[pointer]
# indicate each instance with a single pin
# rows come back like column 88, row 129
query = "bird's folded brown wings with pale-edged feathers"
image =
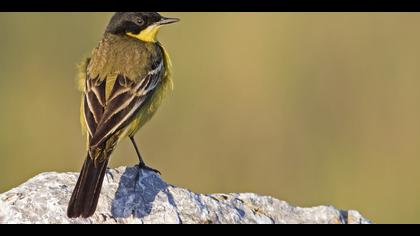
column 107, row 115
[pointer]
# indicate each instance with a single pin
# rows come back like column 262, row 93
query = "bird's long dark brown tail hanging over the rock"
column 84, row 199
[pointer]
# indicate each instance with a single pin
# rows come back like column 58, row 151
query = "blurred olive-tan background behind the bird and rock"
column 307, row 107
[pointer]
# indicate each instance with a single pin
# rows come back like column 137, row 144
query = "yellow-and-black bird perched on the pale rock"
column 123, row 84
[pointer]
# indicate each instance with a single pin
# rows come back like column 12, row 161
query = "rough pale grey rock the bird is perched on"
column 133, row 196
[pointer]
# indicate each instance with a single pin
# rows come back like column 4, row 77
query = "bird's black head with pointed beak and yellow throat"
column 134, row 23
